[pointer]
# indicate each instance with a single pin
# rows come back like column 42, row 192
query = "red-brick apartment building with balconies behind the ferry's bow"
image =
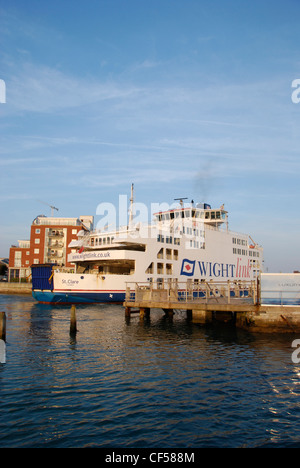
column 49, row 243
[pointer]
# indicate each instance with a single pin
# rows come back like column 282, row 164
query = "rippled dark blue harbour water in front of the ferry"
column 151, row 383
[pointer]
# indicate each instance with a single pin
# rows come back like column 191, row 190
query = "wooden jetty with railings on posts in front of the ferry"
column 208, row 301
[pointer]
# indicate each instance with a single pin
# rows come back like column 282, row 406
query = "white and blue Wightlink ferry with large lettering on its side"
column 188, row 242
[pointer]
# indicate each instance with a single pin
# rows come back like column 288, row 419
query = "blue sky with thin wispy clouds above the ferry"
column 188, row 98
